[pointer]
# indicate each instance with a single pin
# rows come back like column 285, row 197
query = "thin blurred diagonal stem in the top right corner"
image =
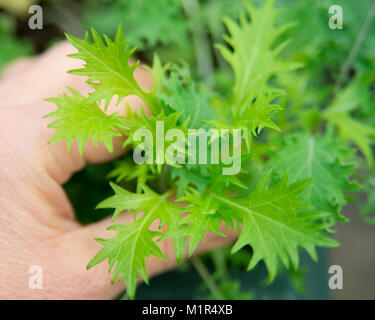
column 355, row 49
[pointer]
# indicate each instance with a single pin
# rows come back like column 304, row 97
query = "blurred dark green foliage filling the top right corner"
column 334, row 46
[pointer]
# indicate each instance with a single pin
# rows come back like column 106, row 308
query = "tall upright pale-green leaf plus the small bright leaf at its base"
column 254, row 62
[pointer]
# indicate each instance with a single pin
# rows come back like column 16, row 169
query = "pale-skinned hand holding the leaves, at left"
column 37, row 221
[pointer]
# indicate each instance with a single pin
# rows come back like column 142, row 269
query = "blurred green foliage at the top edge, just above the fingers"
column 162, row 21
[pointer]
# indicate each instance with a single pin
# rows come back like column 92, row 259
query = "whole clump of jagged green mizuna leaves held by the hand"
column 294, row 179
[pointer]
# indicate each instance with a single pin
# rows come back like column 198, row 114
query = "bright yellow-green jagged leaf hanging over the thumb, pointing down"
column 128, row 250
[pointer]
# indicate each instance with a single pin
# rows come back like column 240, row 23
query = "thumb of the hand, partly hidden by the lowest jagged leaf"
column 79, row 248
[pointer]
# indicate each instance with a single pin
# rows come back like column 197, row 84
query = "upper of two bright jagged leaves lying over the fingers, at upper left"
column 107, row 68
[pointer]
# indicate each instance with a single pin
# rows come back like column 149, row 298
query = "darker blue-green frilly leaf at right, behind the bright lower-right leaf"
column 320, row 158
